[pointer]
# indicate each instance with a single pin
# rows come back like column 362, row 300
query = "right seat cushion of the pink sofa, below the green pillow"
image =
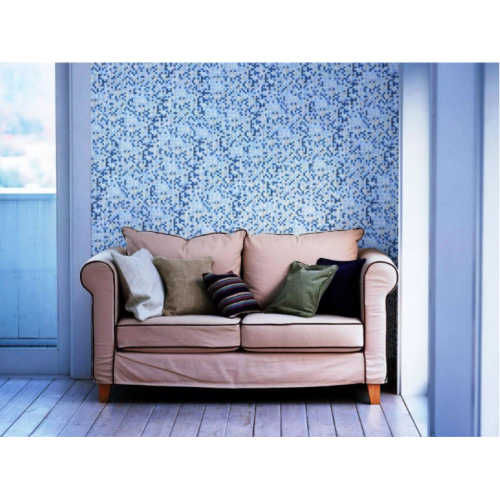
column 286, row 333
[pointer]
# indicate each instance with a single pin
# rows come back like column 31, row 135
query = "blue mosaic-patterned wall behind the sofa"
column 287, row 148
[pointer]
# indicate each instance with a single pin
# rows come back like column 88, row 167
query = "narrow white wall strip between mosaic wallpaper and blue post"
column 414, row 230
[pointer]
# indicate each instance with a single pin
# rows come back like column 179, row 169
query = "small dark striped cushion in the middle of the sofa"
column 230, row 294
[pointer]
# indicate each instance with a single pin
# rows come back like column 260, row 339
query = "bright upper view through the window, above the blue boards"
column 27, row 126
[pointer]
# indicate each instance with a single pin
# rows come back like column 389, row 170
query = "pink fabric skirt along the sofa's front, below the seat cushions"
column 239, row 369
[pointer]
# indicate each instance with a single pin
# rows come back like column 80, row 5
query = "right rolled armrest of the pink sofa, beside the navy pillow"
column 379, row 278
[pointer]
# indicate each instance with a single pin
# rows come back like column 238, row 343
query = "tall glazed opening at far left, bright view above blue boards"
column 28, row 270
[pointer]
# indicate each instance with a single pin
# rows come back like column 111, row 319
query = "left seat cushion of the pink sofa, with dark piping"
column 179, row 334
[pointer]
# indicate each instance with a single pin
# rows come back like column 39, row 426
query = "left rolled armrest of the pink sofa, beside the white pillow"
column 100, row 279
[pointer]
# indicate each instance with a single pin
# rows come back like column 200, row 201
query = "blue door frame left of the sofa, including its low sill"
column 73, row 156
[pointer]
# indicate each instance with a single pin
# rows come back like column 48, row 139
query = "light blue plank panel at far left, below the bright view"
column 28, row 269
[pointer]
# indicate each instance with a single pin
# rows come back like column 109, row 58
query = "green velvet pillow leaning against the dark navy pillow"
column 303, row 290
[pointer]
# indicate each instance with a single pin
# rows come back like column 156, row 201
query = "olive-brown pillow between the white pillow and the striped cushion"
column 185, row 290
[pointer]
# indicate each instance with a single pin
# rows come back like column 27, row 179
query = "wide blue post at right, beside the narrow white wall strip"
column 457, row 189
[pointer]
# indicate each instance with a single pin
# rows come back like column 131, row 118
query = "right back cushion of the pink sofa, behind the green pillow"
column 267, row 257
